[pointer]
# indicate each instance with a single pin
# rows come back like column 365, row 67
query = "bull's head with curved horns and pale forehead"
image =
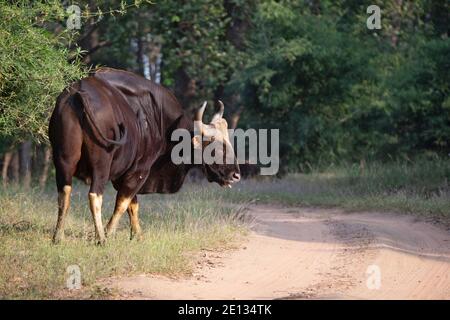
column 213, row 138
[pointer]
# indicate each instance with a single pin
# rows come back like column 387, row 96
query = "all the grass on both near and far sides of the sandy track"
column 178, row 226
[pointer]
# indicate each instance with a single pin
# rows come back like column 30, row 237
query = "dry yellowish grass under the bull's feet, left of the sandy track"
column 175, row 227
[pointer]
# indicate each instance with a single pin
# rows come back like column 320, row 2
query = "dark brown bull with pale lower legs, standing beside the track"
column 116, row 126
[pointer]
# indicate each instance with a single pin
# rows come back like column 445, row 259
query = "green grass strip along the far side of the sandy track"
column 420, row 188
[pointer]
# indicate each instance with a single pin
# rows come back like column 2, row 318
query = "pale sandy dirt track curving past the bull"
column 317, row 254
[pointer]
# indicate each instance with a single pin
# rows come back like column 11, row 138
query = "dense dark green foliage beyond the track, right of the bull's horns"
column 340, row 92
